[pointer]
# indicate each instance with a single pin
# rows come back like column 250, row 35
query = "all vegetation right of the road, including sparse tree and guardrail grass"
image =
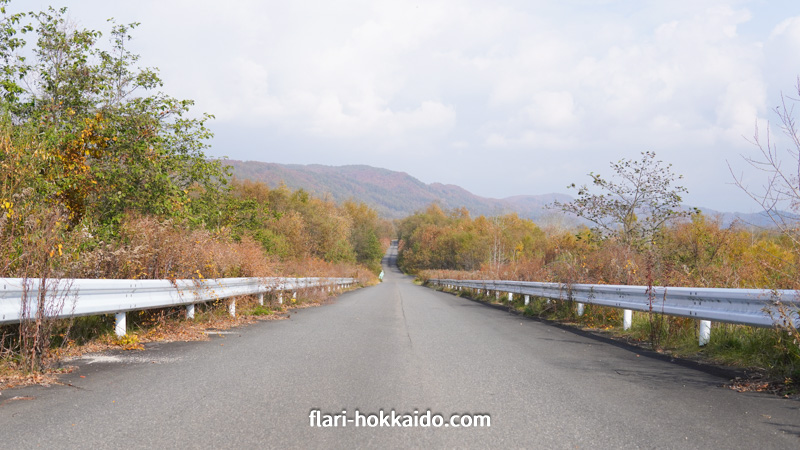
column 638, row 234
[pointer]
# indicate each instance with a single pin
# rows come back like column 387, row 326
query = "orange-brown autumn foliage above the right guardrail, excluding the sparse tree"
column 696, row 250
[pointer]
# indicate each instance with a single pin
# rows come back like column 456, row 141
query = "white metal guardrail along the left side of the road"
column 67, row 298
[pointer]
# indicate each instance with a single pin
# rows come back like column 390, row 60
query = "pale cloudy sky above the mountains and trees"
column 502, row 97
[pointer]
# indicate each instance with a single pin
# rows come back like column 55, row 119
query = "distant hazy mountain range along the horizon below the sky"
column 397, row 194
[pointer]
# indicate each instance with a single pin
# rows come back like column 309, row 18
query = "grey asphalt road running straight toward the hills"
column 395, row 346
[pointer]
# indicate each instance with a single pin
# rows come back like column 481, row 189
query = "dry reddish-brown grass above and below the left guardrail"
column 149, row 248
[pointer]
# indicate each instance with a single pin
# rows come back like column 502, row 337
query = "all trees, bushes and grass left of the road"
column 104, row 175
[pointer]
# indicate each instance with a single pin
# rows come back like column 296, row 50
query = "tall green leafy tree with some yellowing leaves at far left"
column 113, row 142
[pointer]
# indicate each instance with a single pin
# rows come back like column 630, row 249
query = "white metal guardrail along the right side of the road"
column 756, row 307
